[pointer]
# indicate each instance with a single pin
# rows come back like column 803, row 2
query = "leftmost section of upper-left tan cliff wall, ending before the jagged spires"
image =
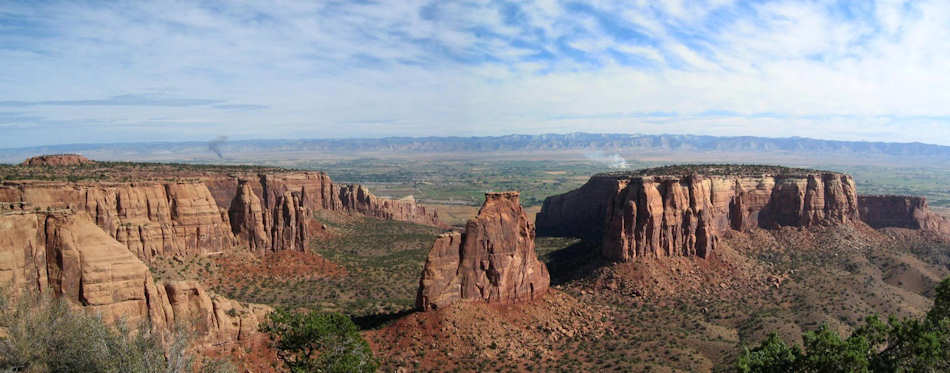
column 150, row 219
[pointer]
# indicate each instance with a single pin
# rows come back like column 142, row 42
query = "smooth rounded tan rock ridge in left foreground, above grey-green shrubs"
column 71, row 257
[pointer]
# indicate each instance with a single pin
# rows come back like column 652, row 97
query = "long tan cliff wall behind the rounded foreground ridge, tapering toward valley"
column 264, row 212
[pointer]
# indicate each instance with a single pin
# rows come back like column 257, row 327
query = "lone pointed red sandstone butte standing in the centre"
column 492, row 261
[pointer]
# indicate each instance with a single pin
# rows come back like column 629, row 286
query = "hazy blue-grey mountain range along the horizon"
column 510, row 143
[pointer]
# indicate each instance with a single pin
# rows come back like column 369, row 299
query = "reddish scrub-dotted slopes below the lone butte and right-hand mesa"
column 677, row 314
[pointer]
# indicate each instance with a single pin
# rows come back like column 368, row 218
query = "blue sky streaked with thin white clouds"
column 98, row 71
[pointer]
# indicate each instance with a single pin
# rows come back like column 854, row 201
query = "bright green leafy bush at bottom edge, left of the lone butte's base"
column 318, row 342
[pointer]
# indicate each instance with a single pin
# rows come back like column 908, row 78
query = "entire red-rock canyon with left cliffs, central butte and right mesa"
column 716, row 239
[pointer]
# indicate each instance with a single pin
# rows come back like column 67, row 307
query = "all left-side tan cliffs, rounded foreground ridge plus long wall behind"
column 90, row 242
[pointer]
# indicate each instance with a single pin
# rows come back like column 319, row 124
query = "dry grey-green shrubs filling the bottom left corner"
column 46, row 334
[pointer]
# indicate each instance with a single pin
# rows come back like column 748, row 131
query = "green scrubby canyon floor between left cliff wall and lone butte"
column 372, row 268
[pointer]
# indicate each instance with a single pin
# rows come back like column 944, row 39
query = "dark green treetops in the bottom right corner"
column 908, row 345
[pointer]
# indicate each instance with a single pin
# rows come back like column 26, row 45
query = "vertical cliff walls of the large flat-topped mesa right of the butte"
column 684, row 215
